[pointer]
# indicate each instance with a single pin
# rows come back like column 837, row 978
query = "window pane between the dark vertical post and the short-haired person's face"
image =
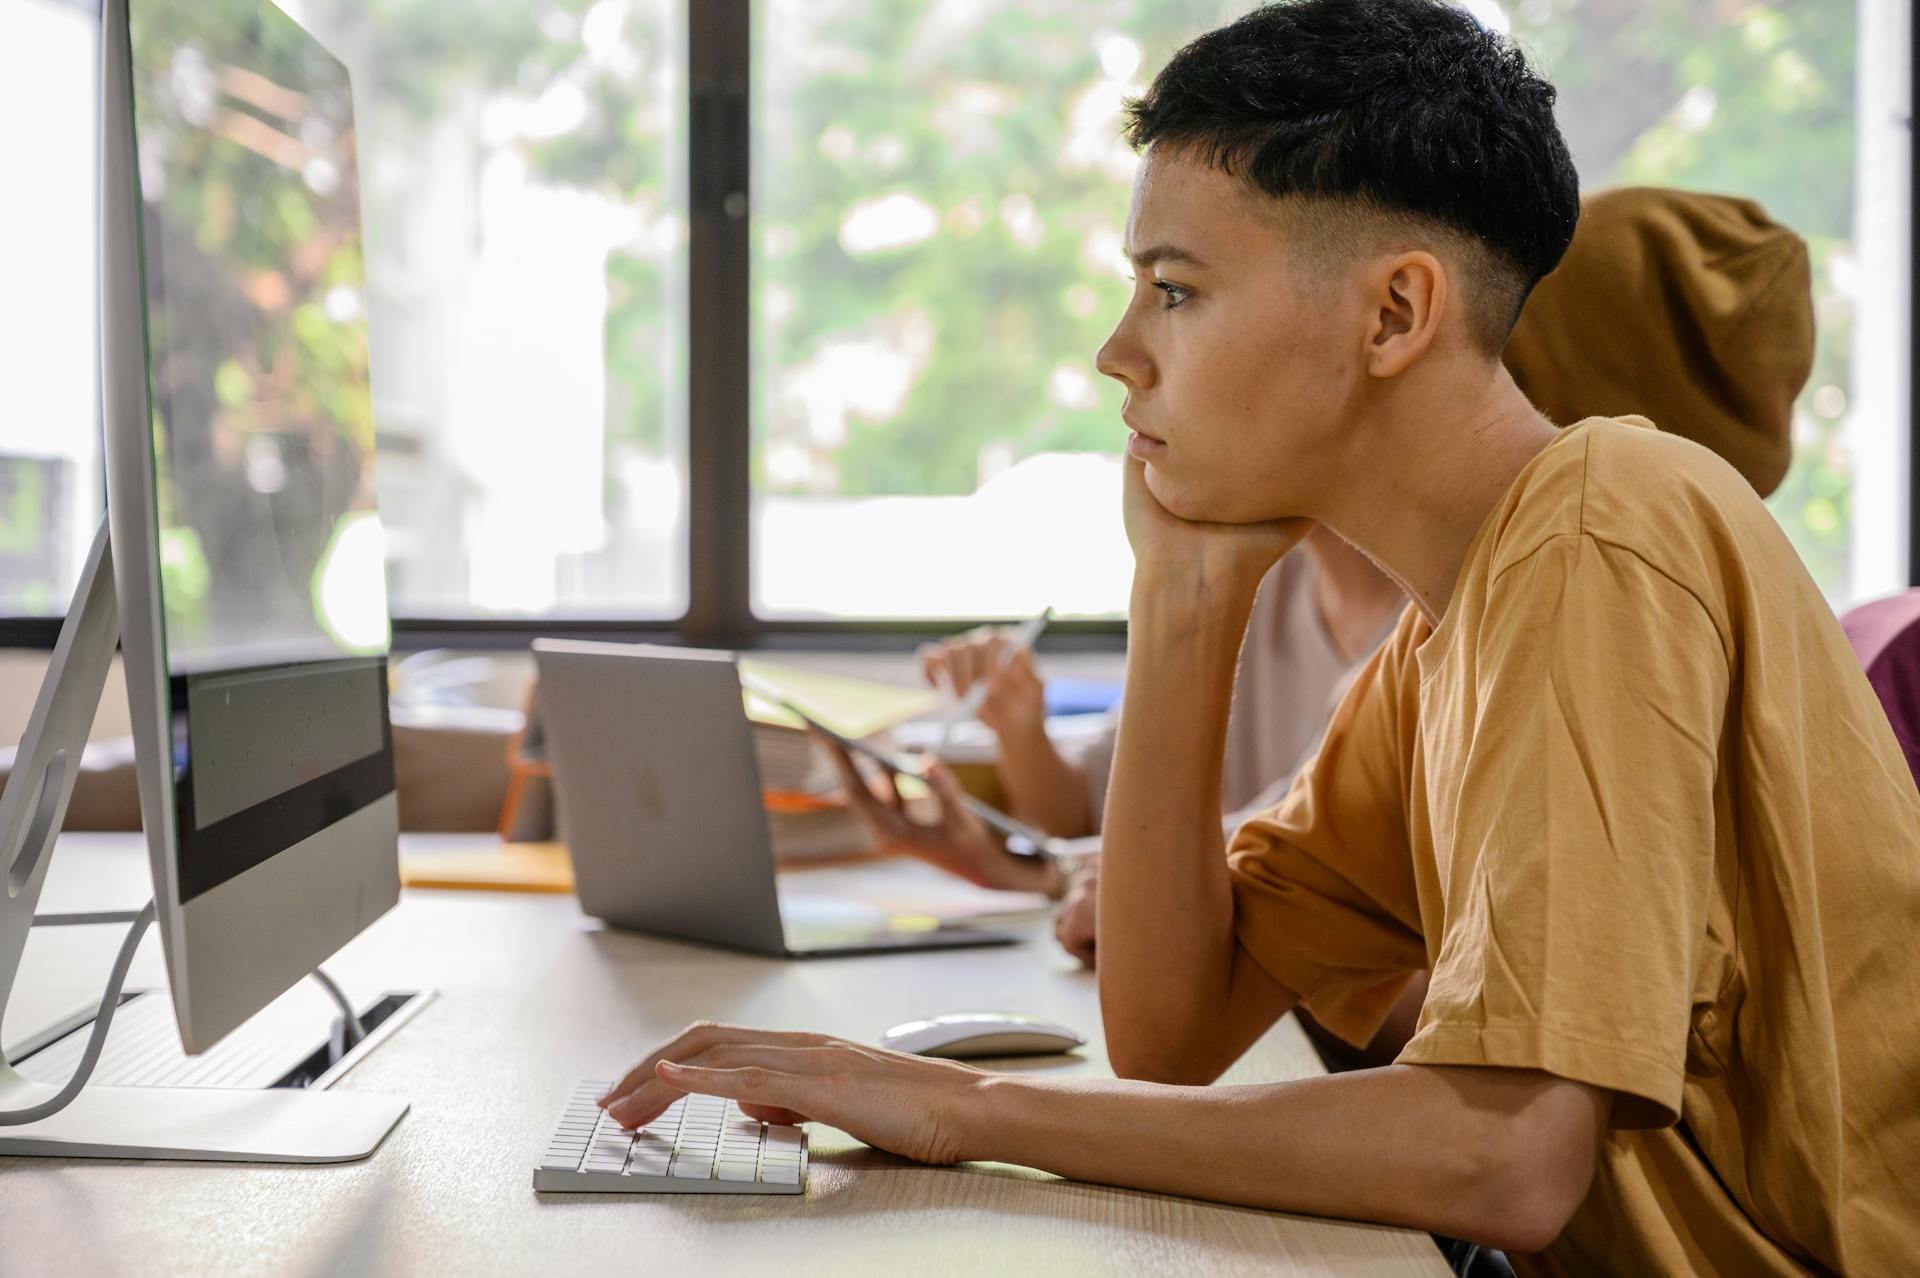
column 938, row 224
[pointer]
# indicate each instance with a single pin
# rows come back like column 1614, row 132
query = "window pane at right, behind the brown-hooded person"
column 1806, row 108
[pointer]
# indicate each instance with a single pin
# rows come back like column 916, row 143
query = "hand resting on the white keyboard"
column 905, row 1104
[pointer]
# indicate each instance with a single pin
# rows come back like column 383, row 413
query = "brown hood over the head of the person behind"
column 1694, row 312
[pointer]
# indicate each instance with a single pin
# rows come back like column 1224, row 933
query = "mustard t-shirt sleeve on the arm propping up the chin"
column 1324, row 884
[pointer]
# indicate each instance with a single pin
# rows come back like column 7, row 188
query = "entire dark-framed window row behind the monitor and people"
column 621, row 385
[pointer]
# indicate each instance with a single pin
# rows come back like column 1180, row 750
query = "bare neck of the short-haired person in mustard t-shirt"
column 1429, row 469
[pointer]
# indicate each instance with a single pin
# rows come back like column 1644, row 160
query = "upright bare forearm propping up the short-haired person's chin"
column 1168, row 955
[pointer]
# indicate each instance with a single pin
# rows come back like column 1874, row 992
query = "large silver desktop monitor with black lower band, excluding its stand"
column 241, row 496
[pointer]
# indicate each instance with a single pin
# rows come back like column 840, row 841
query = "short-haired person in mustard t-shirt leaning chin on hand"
column 1616, row 778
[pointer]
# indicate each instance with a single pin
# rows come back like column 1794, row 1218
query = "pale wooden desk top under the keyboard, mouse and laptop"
column 533, row 997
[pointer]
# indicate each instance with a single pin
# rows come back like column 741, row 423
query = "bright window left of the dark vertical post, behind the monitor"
column 523, row 185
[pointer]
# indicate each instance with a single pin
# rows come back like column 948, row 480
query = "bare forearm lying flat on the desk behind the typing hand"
column 1493, row 1156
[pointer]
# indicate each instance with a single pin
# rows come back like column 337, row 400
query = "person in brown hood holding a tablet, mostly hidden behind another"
column 1689, row 308
